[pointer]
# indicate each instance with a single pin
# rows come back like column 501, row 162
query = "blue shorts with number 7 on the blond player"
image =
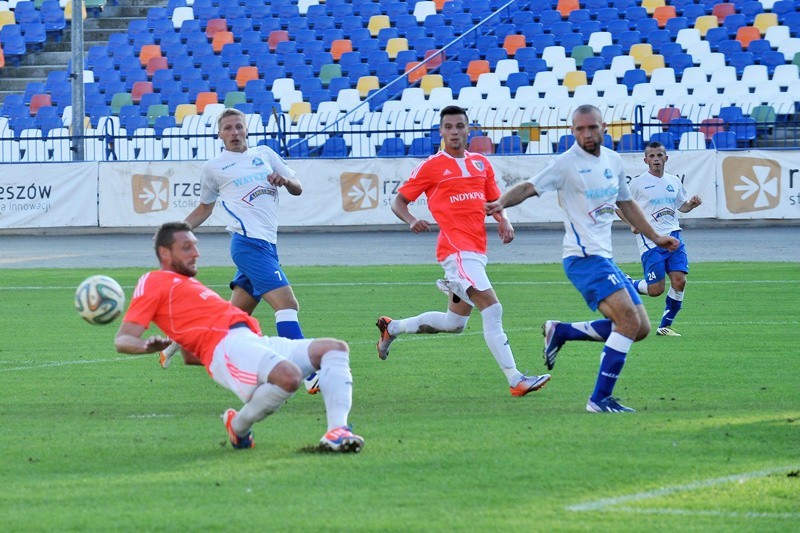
column 258, row 270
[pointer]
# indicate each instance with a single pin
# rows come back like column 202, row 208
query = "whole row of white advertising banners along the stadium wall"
column 743, row 185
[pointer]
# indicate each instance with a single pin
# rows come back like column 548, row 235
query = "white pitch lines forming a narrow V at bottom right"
column 614, row 504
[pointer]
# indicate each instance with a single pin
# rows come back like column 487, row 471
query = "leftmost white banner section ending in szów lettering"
column 48, row 195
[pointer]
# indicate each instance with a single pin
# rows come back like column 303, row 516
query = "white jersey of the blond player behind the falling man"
column 239, row 181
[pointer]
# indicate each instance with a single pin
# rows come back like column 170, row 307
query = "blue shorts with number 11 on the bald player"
column 597, row 278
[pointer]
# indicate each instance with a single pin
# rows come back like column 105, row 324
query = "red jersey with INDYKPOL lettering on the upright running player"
column 457, row 189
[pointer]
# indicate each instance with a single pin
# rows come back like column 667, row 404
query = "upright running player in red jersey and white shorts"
column 457, row 184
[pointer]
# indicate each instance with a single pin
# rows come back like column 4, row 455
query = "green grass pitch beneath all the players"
column 94, row 440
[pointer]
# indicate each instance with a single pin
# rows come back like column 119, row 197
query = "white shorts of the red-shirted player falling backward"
column 243, row 360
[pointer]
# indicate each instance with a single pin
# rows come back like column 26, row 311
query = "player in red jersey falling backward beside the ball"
column 263, row 372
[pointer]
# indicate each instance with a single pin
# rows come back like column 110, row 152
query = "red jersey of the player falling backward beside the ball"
column 186, row 311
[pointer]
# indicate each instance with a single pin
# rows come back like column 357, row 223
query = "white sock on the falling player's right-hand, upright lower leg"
column 336, row 385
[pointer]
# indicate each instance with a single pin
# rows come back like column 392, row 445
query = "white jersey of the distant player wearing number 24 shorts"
column 659, row 199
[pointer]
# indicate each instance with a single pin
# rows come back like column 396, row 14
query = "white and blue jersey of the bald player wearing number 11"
column 588, row 188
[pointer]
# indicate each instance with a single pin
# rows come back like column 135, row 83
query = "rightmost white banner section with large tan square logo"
column 758, row 185
